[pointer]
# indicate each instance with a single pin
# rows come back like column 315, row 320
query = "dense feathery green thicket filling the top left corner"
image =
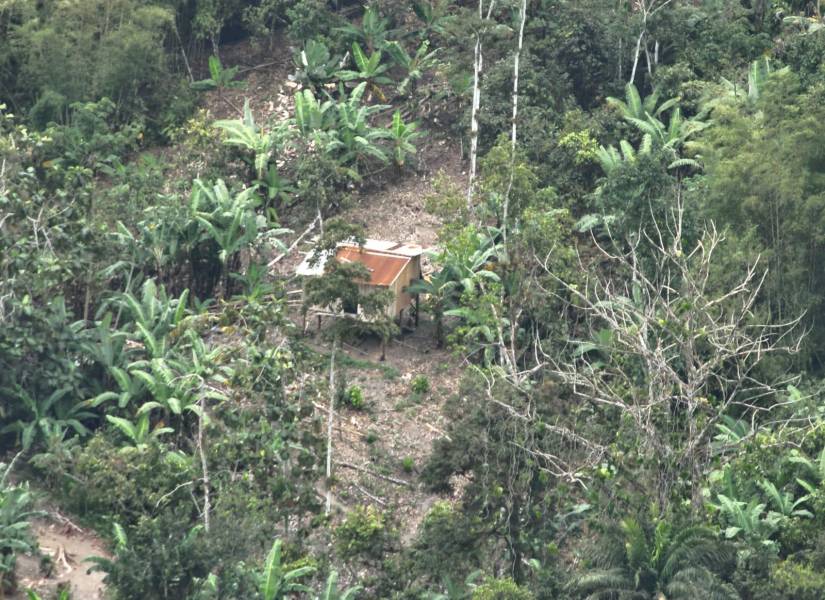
column 89, row 51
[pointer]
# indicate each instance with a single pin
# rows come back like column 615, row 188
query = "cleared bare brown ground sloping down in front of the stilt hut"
column 379, row 450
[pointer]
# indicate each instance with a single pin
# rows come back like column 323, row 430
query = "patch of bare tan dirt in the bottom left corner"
column 67, row 546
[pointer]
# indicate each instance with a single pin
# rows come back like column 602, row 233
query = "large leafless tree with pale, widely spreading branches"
column 672, row 353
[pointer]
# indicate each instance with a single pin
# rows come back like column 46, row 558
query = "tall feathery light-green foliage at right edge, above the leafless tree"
column 744, row 194
